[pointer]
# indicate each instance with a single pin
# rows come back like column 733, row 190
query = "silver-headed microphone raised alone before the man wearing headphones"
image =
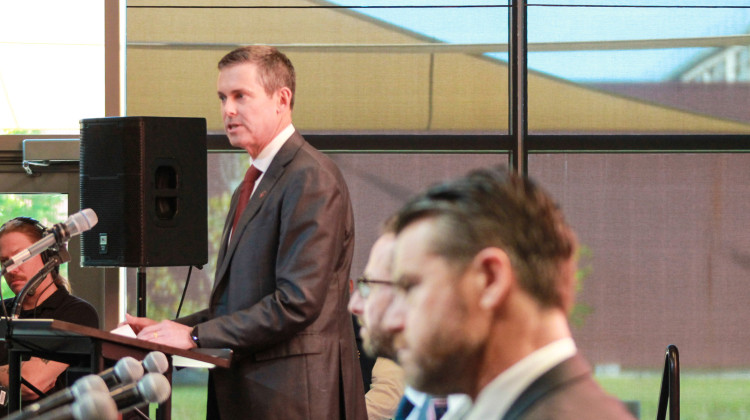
column 61, row 232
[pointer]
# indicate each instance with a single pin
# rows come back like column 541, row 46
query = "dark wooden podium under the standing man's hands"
column 86, row 349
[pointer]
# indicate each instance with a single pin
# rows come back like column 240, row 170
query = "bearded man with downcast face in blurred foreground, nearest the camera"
column 486, row 268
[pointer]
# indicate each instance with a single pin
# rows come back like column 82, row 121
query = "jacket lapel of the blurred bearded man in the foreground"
column 569, row 370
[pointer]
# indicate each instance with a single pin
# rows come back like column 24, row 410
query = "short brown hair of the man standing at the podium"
column 275, row 70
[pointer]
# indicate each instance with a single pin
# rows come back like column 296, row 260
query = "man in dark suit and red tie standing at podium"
column 281, row 287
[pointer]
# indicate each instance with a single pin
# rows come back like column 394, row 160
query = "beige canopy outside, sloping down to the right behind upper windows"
column 358, row 74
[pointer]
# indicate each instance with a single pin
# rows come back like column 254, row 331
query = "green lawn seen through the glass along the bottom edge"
column 703, row 396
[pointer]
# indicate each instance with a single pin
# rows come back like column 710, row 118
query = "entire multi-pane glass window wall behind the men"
column 664, row 233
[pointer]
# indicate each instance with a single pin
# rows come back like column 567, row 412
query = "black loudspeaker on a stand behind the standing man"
column 145, row 177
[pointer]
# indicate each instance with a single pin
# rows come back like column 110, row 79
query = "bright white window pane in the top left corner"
column 52, row 65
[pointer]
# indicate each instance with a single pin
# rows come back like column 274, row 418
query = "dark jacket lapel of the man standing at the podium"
column 267, row 183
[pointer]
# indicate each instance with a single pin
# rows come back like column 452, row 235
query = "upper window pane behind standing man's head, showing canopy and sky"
column 402, row 69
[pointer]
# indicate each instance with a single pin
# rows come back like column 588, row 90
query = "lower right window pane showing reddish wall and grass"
column 666, row 262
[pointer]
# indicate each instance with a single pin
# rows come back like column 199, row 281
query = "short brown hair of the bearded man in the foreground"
column 495, row 208
